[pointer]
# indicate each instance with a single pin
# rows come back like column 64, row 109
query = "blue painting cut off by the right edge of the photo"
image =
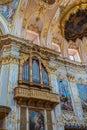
column 82, row 90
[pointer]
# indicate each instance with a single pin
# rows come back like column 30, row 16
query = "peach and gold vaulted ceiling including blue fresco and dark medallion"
column 53, row 20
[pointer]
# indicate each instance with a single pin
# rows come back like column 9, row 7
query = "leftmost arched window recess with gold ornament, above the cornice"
column 34, row 27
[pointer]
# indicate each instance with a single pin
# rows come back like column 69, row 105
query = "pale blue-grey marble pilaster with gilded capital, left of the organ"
column 9, row 80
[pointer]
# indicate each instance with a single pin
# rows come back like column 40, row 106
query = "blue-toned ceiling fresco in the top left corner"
column 8, row 9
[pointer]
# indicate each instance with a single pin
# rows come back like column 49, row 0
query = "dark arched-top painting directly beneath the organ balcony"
column 36, row 119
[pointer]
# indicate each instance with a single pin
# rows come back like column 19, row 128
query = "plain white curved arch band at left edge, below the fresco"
column 3, row 25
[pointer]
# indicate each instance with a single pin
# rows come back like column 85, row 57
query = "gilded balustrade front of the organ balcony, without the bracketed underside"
column 21, row 93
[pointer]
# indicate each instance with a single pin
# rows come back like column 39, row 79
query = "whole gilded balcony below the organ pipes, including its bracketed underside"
column 35, row 97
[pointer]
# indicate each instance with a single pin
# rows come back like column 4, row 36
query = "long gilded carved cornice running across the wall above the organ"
column 45, row 53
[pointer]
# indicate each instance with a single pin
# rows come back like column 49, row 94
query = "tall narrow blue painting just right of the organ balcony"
column 65, row 97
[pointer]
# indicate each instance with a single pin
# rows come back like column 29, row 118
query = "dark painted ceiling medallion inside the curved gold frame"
column 76, row 26
